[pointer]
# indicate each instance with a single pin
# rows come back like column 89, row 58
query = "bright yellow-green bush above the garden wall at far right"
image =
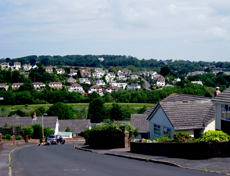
column 213, row 136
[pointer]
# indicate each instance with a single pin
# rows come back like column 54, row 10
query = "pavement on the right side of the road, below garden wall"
column 216, row 165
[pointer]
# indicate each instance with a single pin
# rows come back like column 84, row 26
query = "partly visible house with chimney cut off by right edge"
column 222, row 110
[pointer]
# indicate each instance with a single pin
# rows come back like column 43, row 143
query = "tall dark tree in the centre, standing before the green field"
column 97, row 110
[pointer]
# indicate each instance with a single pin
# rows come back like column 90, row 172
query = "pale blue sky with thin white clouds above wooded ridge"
column 195, row 30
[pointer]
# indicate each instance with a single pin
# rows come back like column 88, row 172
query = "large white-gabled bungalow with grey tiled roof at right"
column 178, row 112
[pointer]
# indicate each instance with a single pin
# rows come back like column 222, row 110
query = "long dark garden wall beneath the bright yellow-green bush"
column 183, row 150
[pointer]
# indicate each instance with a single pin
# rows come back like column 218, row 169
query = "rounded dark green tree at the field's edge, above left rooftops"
column 61, row 110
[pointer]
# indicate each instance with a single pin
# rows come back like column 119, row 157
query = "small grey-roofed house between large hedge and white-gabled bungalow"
column 139, row 122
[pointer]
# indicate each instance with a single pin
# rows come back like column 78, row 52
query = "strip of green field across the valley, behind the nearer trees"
column 6, row 109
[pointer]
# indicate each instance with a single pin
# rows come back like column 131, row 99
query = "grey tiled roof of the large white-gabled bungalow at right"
column 187, row 111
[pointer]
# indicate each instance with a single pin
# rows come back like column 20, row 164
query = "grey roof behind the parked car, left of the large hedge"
column 76, row 126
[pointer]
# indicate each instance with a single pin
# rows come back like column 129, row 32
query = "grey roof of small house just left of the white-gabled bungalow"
column 139, row 121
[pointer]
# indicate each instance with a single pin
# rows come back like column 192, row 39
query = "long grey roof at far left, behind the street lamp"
column 16, row 120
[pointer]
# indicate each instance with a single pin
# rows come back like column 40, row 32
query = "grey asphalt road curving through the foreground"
column 66, row 160
